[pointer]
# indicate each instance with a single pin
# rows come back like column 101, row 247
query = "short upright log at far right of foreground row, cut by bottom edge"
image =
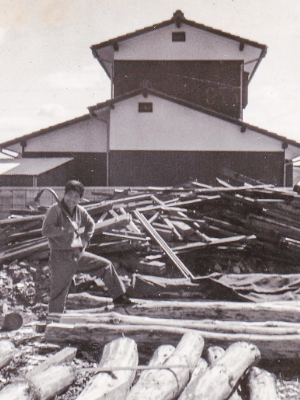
column 262, row 385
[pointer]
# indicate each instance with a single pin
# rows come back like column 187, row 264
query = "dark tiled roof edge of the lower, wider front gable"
column 243, row 125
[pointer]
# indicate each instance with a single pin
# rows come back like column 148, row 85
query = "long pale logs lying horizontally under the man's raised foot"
column 274, row 328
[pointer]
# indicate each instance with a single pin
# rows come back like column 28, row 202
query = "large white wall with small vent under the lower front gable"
column 174, row 127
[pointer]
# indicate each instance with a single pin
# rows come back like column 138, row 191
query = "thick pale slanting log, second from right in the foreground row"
column 219, row 380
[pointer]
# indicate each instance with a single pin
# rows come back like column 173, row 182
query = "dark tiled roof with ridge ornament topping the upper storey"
column 178, row 18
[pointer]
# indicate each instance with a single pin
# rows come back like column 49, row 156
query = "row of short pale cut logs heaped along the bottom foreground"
column 186, row 370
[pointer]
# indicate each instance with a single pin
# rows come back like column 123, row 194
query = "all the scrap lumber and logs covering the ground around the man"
column 205, row 266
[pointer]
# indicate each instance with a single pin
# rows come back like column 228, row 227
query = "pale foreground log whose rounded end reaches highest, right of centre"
column 166, row 384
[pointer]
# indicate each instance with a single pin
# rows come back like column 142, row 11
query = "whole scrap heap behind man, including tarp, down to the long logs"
column 165, row 242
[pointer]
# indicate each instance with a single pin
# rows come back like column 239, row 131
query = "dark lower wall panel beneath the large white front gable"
column 163, row 168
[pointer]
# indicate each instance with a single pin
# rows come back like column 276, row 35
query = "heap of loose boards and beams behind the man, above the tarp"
column 182, row 227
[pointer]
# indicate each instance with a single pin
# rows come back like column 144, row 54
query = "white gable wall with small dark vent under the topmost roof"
column 199, row 45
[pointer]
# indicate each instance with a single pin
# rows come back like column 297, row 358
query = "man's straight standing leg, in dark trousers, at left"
column 62, row 267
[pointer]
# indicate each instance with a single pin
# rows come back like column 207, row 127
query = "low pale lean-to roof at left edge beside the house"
column 31, row 166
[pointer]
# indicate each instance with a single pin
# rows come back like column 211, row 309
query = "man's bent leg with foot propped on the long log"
column 103, row 269
